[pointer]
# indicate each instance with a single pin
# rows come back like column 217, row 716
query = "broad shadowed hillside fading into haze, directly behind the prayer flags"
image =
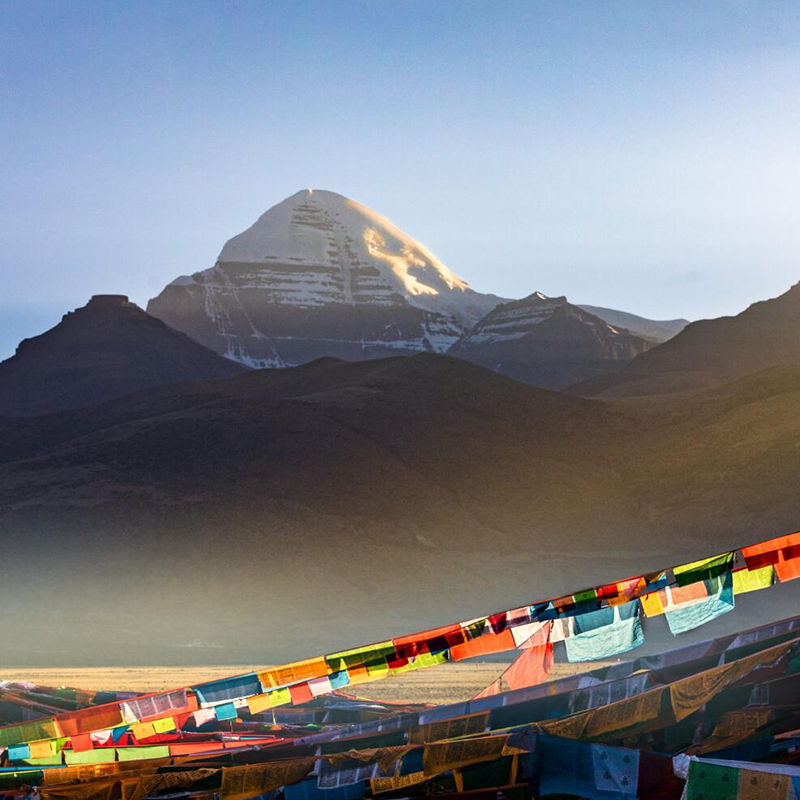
column 281, row 512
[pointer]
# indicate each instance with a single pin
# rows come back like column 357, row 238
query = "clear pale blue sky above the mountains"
column 640, row 155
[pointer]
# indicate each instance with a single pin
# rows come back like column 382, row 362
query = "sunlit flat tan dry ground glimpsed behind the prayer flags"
column 445, row 684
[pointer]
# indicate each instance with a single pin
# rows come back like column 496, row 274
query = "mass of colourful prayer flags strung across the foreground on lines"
column 606, row 733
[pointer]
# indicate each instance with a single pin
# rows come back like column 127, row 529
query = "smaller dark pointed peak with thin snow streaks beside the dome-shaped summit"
column 547, row 342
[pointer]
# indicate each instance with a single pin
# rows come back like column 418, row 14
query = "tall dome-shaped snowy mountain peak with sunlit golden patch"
column 321, row 275
